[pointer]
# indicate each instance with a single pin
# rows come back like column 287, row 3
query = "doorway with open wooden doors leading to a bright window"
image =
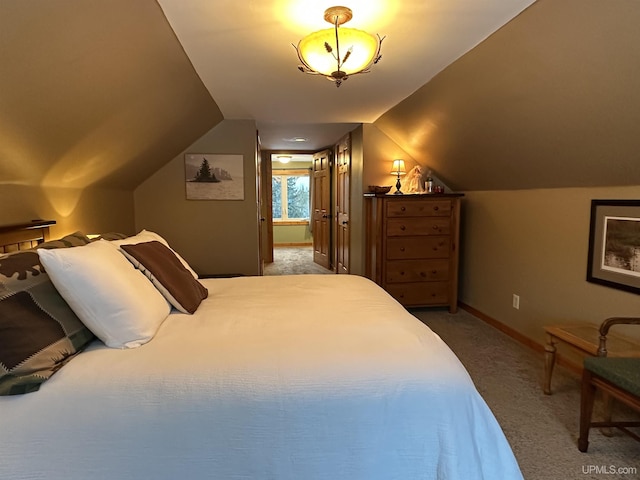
column 305, row 205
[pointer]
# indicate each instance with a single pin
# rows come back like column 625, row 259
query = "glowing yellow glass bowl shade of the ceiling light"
column 364, row 48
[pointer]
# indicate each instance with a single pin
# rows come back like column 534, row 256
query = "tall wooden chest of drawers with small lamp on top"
column 412, row 247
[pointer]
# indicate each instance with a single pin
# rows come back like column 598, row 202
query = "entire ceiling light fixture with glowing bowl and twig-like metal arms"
column 336, row 53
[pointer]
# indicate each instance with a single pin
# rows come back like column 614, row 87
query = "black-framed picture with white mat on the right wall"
column 614, row 244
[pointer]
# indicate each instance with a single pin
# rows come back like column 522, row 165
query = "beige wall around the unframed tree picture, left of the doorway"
column 215, row 237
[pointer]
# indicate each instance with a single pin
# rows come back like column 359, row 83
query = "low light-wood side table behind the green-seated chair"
column 585, row 339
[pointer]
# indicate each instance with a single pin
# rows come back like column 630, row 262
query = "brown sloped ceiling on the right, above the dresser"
column 550, row 100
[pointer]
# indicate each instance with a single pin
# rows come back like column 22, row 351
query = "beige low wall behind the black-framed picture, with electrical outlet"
column 534, row 243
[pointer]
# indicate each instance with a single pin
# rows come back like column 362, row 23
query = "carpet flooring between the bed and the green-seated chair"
column 542, row 429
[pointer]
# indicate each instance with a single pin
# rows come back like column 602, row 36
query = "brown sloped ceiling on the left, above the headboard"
column 94, row 92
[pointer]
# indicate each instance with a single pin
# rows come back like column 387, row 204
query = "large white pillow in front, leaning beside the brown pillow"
column 113, row 299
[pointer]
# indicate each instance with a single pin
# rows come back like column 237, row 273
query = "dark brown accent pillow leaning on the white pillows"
column 167, row 273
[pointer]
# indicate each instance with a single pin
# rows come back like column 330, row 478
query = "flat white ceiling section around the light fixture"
column 242, row 51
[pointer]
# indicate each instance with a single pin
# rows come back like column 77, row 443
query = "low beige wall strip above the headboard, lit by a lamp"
column 90, row 210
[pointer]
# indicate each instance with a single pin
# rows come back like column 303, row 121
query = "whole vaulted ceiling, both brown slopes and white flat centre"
column 490, row 94
